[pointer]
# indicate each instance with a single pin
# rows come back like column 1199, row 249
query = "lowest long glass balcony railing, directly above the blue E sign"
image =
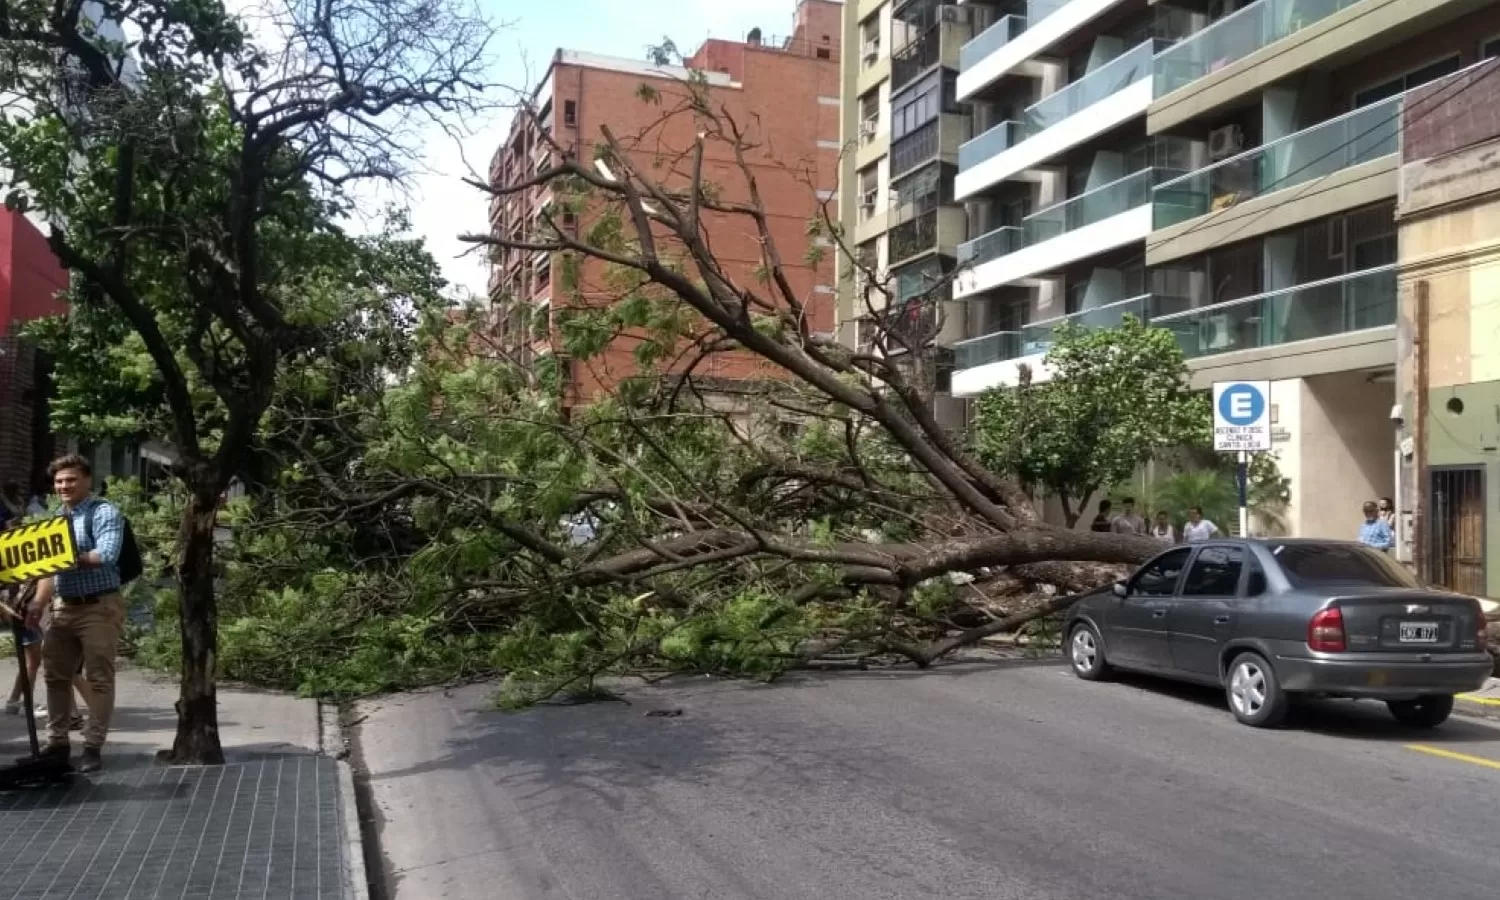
column 1319, row 310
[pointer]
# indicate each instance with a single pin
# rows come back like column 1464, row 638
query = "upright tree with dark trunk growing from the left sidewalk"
column 194, row 185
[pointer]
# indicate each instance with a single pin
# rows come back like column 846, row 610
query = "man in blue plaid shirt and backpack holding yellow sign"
column 88, row 611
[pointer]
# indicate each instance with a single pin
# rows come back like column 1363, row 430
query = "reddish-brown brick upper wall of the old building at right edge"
column 1451, row 115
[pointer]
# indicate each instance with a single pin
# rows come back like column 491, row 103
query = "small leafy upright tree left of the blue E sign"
column 1117, row 400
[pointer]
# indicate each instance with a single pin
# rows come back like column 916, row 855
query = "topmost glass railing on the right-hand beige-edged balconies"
column 1237, row 37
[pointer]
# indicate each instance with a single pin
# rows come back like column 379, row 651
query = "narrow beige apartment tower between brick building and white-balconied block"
column 904, row 128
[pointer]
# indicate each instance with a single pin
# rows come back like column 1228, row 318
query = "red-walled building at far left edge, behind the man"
column 31, row 283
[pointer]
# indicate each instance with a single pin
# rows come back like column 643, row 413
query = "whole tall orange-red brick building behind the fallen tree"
column 784, row 92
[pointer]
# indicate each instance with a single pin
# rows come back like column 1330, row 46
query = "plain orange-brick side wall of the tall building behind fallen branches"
column 794, row 157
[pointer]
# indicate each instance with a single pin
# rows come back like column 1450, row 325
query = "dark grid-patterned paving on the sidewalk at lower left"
column 269, row 829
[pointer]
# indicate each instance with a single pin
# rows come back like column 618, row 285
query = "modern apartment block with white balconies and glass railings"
column 1225, row 170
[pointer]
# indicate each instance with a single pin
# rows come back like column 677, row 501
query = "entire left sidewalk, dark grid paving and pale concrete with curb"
column 272, row 823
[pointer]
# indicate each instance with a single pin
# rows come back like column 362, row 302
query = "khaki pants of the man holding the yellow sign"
column 89, row 634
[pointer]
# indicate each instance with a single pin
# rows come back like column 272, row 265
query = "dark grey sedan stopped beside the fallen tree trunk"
column 1273, row 620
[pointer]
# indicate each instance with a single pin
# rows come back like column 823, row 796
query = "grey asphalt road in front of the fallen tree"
column 970, row 782
